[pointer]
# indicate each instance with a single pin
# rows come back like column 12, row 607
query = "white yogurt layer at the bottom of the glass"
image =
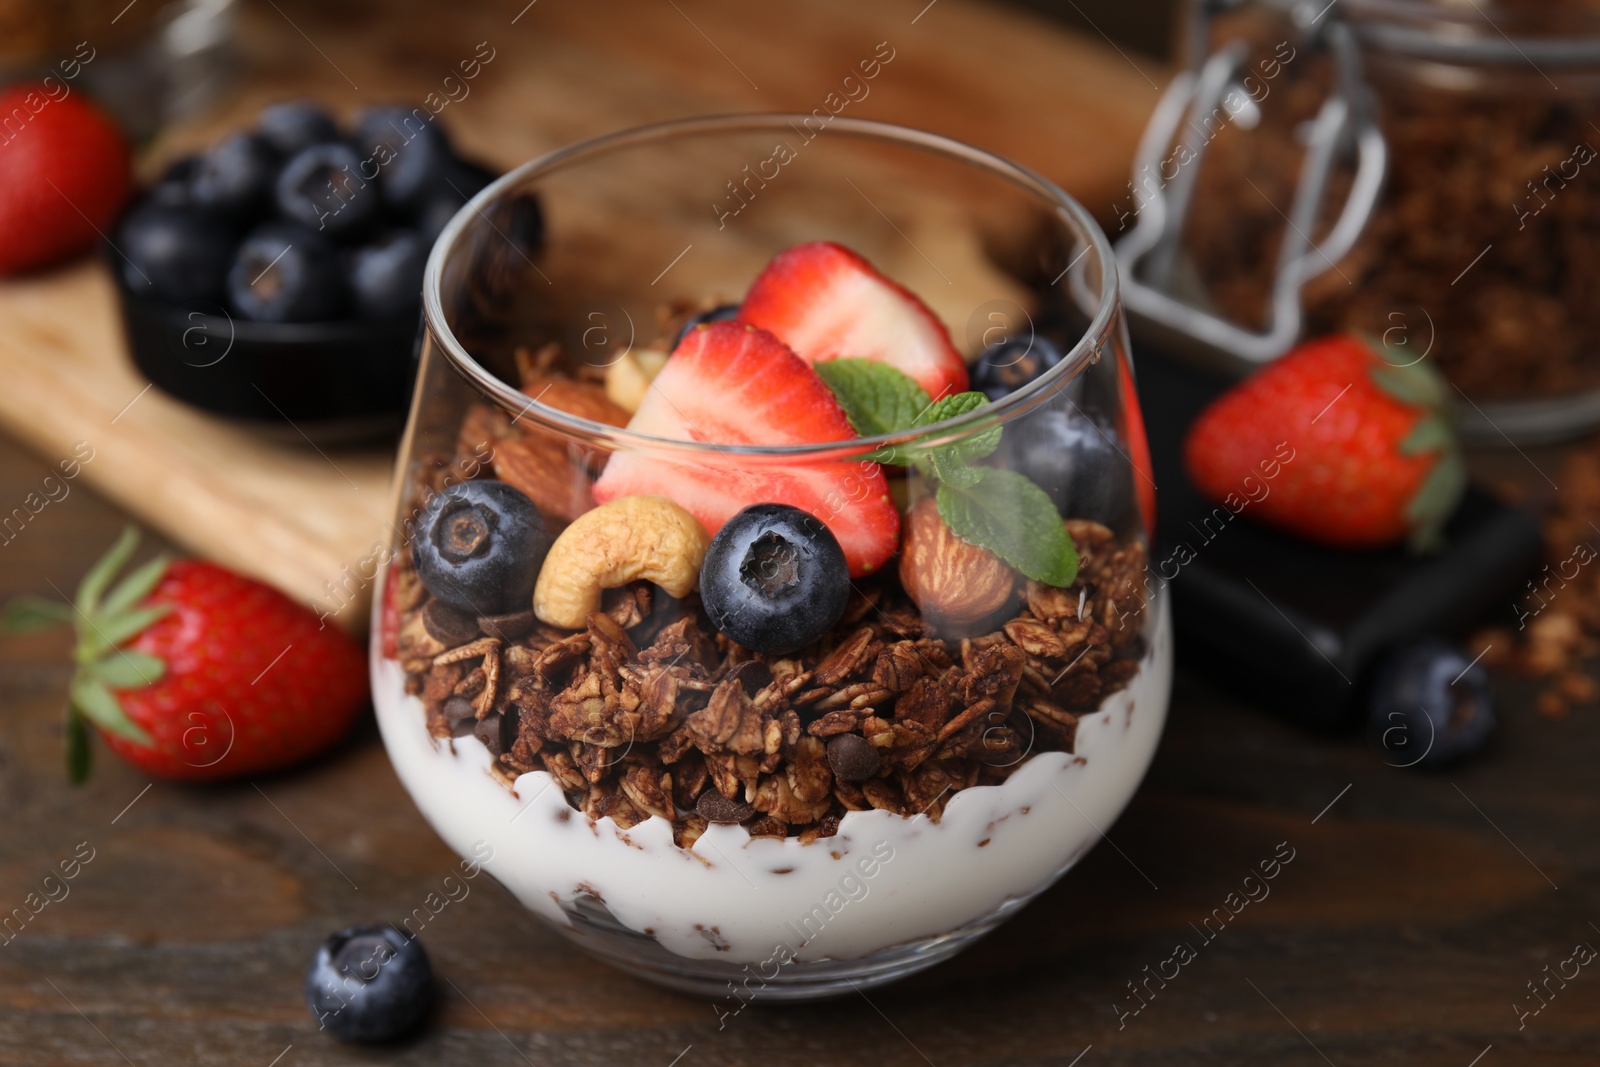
column 881, row 882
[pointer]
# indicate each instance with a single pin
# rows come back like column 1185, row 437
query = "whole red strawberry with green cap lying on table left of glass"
column 194, row 673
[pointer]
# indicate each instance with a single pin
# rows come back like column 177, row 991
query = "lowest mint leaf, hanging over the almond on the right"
column 1015, row 519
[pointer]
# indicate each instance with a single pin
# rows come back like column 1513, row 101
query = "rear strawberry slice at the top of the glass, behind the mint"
column 826, row 303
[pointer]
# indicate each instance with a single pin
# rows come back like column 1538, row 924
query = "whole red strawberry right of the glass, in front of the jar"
column 1342, row 442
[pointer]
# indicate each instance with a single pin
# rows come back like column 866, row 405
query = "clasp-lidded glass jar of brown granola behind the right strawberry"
column 1481, row 249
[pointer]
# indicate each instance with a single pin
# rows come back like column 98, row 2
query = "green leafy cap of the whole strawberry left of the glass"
column 105, row 618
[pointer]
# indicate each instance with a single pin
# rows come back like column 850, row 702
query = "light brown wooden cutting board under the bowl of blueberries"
column 559, row 71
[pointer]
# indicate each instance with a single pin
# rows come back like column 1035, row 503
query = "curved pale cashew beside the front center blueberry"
column 631, row 538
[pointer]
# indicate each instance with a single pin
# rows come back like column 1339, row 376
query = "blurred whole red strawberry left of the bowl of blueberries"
column 65, row 174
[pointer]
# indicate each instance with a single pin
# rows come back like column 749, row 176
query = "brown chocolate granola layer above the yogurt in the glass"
column 649, row 711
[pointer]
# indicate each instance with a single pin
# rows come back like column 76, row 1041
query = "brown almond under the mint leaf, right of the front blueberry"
column 953, row 581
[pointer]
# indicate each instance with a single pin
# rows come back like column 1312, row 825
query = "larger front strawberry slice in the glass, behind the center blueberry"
column 734, row 385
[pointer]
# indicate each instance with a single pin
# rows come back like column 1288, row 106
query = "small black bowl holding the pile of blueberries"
column 327, row 383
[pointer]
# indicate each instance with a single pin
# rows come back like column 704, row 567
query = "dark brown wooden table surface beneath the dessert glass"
column 1404, row 932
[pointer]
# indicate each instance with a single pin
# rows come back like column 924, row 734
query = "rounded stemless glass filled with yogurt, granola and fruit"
column 662, row 796
